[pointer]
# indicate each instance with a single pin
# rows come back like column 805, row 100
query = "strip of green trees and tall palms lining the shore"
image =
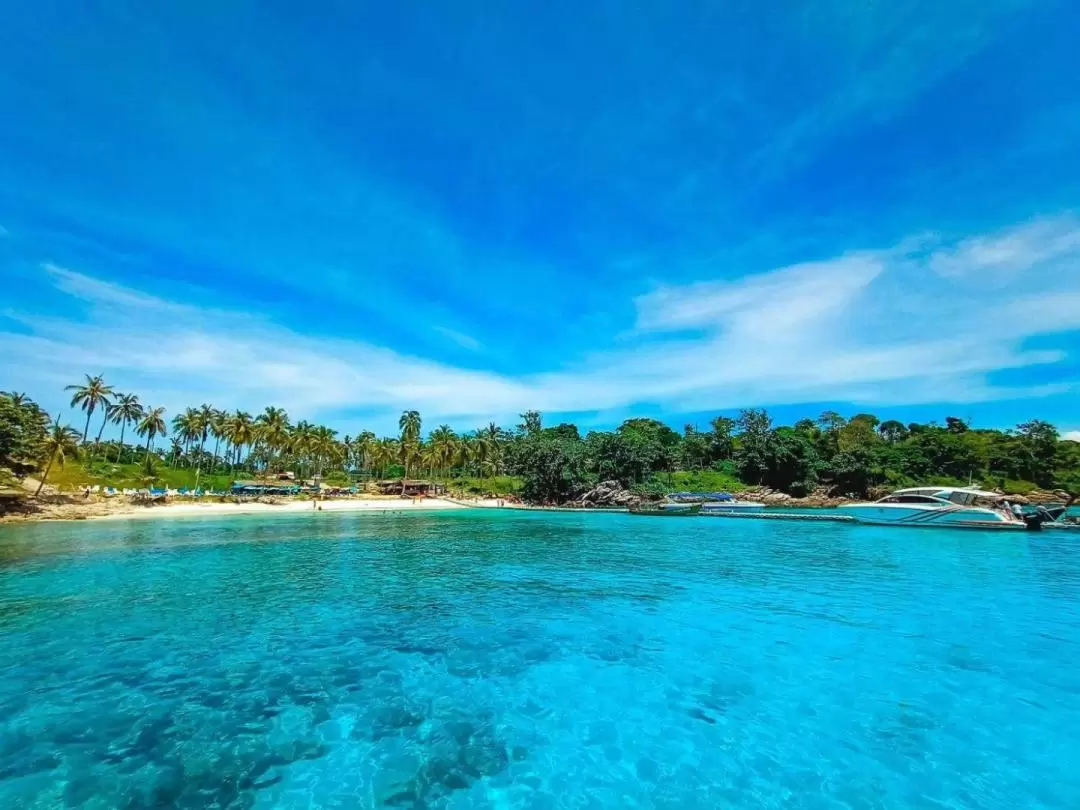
column 546, row 465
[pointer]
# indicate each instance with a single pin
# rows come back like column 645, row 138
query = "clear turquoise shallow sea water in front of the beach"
column 510, row 660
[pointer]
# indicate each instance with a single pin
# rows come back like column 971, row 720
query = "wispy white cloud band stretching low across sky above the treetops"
column 875, row 328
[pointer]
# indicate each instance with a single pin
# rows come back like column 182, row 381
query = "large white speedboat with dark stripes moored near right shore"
column 953, row 507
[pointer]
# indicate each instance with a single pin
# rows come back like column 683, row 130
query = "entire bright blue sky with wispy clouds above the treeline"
column 597, row 210
